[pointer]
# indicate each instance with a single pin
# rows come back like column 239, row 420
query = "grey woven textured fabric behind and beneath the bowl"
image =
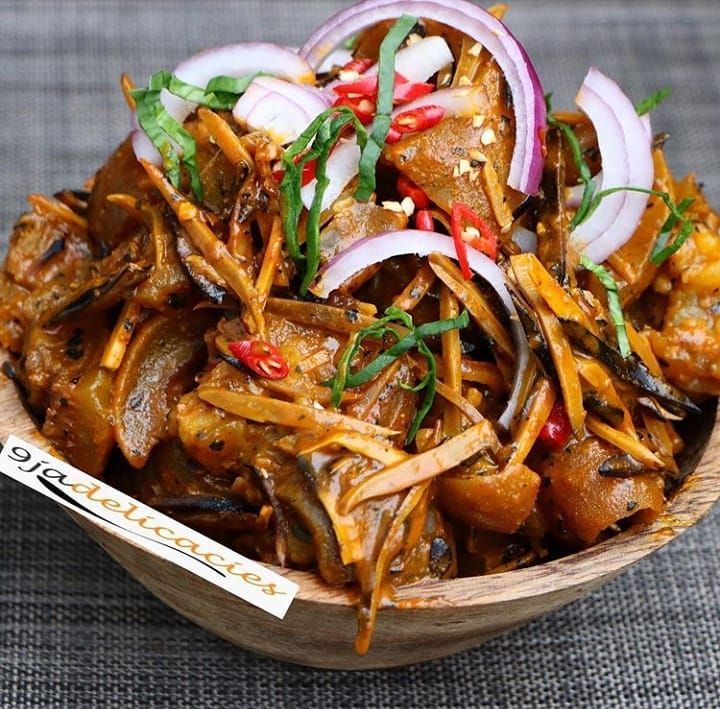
column 75, row 630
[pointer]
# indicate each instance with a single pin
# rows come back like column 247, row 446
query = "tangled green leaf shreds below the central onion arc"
column 345, row 379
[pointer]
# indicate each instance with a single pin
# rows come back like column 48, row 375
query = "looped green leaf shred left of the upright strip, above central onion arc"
column 315, row 143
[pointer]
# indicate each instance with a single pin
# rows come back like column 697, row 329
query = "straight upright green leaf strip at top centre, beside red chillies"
column 384, row 105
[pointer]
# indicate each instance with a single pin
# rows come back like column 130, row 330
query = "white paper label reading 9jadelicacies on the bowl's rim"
column 139, row 524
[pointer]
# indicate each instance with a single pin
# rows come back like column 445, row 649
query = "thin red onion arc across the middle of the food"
column 374, row 249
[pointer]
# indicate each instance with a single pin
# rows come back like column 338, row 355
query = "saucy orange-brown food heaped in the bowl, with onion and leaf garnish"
column 370, row 309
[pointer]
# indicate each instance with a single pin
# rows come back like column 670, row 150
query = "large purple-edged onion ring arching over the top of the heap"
column 527, row 92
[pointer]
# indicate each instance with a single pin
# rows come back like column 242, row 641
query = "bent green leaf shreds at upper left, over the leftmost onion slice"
column 166, row 134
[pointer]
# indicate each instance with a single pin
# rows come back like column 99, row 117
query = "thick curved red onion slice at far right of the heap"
column 625, row 142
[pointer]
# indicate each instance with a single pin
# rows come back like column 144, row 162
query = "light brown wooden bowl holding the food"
column 431, row 620
